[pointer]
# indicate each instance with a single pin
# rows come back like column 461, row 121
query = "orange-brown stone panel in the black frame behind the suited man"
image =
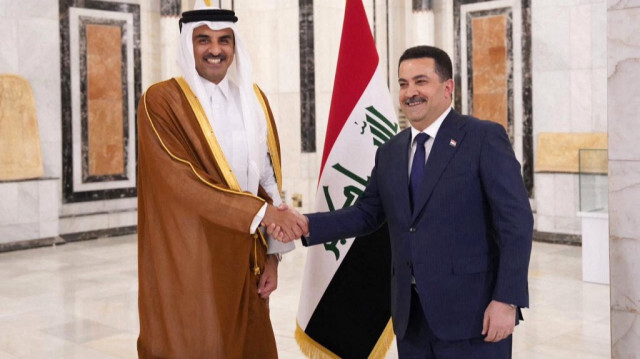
column 490, row 68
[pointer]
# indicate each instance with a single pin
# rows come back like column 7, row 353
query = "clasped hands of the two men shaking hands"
column 285, row 224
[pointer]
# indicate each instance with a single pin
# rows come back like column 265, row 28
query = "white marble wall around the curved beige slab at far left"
column 29, row 48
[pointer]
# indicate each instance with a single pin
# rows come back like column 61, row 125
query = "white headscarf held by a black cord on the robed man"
column 240, row 74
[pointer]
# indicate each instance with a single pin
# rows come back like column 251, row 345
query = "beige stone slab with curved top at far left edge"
column 20, row 153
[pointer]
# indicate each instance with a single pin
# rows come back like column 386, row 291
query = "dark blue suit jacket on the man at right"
column 468, row 241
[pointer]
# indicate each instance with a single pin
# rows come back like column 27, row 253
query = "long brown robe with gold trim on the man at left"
column 196, row 259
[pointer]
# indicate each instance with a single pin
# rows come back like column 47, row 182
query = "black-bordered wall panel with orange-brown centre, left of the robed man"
column 88, row 107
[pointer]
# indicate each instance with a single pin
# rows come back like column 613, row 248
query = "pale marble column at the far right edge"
column 623, row 48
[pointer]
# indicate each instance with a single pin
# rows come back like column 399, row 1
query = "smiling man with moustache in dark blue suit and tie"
column 460, row 223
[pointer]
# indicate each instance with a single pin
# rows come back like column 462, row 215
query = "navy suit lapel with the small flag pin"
column 446, row 143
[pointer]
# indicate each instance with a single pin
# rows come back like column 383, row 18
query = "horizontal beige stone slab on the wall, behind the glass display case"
column 558, row 152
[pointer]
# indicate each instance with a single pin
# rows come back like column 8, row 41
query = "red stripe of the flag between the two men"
column 357, row 62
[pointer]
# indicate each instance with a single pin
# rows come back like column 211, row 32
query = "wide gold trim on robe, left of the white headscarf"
column 216, row 150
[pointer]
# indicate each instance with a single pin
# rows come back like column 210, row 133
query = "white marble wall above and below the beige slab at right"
column 569, row 95
